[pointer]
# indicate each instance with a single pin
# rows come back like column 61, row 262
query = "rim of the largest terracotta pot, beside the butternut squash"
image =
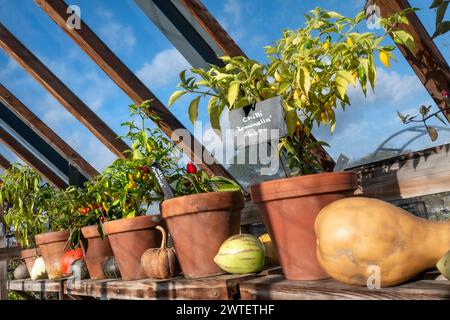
column 306, row 185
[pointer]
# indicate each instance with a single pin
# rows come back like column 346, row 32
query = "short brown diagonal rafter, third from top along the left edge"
column 31, row 159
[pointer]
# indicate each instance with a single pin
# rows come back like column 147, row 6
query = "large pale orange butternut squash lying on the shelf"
column 355, row 234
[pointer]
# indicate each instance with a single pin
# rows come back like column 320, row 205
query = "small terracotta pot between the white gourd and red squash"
column 52, row 246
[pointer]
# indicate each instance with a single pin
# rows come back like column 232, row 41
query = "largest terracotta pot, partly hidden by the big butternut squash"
column 289, row 208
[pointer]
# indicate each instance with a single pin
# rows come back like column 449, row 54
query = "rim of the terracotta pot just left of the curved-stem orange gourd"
column 131, row 224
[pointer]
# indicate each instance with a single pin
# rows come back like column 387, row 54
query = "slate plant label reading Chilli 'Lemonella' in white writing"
column 253, row 124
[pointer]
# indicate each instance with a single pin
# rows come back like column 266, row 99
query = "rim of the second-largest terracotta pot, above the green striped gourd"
column 202, row 202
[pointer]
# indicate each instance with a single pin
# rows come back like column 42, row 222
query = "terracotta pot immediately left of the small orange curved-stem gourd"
column 130, row 238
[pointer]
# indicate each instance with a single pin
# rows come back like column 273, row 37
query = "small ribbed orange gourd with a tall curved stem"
column 160, row 263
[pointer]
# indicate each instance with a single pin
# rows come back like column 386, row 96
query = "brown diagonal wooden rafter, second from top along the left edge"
column 44, row 131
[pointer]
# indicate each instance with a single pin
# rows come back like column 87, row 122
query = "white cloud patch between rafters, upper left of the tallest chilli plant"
column 163, row 69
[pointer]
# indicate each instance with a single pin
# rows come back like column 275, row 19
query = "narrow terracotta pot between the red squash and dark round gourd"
column 96, row 251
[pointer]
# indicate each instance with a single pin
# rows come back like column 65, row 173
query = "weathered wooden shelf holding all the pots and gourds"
column 270, row 284
